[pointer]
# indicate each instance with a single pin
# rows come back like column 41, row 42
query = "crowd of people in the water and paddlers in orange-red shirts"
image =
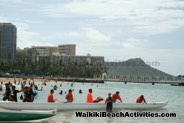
column 29, row 93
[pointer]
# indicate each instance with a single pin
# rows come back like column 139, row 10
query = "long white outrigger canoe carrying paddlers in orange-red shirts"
column 79, row 106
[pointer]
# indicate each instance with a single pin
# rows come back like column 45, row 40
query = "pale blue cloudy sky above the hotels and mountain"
column 152, row 30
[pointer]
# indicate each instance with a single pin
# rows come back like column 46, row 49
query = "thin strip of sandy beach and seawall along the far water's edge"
column 79, row 80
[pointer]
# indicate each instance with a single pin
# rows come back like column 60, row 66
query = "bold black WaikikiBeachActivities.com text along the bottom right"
column 123, row 114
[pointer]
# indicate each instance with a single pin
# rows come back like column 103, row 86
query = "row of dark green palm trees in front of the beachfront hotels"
column 47, row 68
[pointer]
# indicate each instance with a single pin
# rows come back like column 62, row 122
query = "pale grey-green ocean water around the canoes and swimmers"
column 128, row 92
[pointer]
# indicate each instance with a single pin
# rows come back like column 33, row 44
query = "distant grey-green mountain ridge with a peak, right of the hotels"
column 133, row 67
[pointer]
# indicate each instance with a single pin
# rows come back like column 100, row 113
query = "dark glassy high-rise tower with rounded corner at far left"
column 8, row 40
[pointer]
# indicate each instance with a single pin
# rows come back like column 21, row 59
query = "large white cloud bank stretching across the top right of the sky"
column 149, row 17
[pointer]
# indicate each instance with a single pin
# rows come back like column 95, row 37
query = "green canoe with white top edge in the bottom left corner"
column 25, row 115
